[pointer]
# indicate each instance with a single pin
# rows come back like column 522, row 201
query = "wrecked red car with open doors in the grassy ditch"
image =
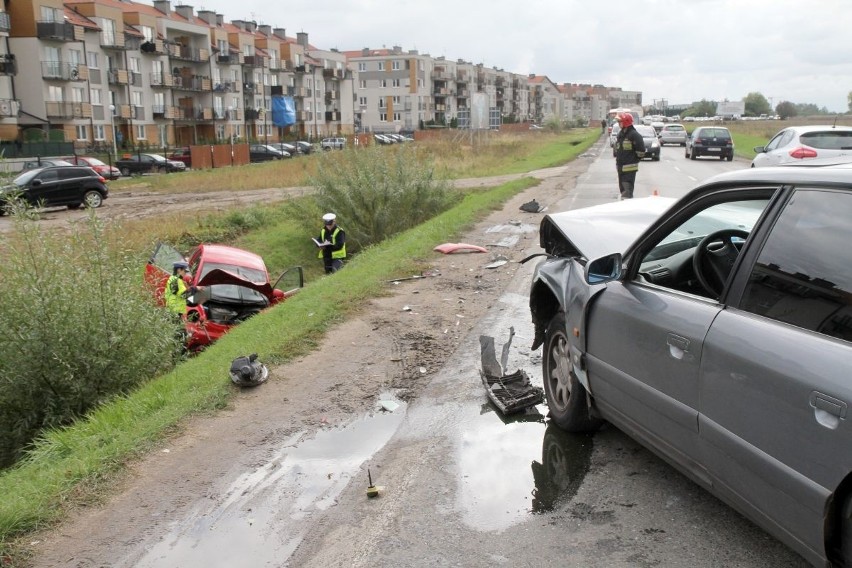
column 233, row 285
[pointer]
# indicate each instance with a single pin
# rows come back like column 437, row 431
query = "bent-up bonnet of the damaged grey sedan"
column 593, row 232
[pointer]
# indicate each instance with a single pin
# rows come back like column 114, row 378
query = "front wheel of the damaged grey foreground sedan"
column 566, row 396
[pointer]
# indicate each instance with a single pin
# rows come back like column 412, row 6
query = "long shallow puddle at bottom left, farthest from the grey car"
column 262, row 509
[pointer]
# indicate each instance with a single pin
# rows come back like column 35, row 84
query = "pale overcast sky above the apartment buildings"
column 678, row 50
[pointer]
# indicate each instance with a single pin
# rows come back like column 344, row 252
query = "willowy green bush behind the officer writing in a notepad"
column 377, row 192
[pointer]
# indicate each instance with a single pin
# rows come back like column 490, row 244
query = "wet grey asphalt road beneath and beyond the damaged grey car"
column 471, row 489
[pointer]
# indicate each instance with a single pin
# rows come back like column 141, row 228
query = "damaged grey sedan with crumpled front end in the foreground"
column 717, row 331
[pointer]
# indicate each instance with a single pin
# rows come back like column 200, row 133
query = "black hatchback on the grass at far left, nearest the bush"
column 51, row 186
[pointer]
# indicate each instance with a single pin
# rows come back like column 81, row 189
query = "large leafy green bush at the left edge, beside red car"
column 78, row 328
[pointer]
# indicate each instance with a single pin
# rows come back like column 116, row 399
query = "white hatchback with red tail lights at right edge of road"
column 805, row 143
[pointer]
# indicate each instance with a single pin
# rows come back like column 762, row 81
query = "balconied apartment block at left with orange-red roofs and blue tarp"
column 124, row 72
